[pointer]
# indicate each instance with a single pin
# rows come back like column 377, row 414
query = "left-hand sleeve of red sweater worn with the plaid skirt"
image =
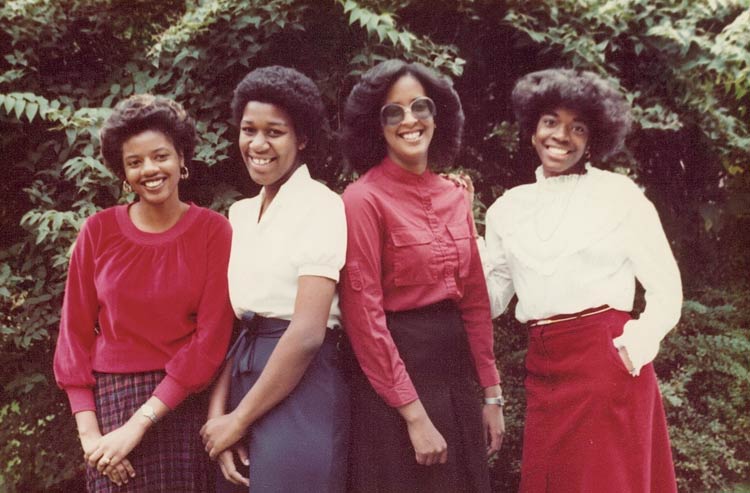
column 72, row 361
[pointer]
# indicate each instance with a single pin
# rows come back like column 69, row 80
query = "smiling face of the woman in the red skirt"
column 560, row 140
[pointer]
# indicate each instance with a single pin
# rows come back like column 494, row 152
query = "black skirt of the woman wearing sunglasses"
column 432, row 343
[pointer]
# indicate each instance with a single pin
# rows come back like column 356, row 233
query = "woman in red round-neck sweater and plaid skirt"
column 146, row 318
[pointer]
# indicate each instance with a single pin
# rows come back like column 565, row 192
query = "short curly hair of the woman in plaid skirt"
column 142, row 112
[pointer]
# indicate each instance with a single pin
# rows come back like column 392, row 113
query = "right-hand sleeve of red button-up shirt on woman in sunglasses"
column 475, row 312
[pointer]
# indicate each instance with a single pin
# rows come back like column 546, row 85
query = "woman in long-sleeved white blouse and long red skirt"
column 570, row 246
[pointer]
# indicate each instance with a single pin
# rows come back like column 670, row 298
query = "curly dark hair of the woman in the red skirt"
column 601, row 106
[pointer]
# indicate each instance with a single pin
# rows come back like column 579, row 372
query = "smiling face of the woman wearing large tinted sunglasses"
column 409, row 140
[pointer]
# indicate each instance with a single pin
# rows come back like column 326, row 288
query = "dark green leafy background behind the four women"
column 684, row 66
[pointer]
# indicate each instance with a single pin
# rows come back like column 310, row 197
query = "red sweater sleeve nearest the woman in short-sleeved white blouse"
column 193, row 367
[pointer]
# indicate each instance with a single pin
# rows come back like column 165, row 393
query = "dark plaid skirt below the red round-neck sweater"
column 171, row 457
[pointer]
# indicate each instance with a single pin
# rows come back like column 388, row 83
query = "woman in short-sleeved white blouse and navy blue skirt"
column 289, row 402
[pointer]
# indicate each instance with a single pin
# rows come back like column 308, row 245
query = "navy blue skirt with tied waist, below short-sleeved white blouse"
column 301, row 444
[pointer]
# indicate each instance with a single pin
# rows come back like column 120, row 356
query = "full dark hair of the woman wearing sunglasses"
column 362, row 139
